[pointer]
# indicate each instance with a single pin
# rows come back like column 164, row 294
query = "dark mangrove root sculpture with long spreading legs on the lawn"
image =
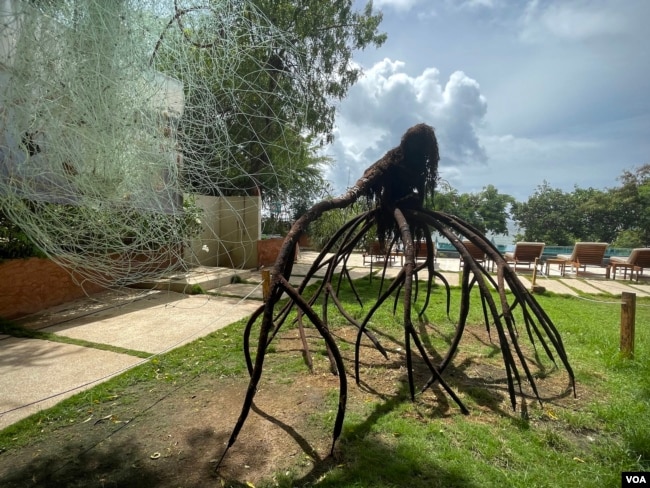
column 397, row 185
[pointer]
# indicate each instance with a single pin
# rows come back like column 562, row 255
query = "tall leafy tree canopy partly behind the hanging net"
column 294, row 62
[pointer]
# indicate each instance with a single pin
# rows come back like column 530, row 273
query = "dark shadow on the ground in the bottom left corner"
column 123, row 463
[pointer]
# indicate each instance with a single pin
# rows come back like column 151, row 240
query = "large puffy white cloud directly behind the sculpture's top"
column 387, row 101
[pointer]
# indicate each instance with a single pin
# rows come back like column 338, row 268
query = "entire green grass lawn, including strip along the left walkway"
column 391, row 442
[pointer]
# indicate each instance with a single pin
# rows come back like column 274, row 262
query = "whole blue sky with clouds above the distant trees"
column 519, row 92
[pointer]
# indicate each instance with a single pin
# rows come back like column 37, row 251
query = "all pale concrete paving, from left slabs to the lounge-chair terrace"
column 36, row 374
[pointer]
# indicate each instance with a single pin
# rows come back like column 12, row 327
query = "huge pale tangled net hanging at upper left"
column 113, row 114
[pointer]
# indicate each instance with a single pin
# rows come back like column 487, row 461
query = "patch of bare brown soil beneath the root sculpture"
column 173, row 435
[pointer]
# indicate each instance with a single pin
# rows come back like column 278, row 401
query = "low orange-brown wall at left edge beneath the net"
column 31, row 285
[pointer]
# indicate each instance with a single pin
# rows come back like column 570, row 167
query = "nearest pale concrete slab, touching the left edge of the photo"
column 35, row 370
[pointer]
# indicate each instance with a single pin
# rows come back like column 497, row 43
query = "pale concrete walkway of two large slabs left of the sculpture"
column 37, row 374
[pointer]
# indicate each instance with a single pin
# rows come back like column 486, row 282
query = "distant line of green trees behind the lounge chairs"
column 619, row 215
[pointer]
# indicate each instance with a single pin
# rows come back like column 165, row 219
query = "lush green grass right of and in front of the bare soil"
column 584, row 442
